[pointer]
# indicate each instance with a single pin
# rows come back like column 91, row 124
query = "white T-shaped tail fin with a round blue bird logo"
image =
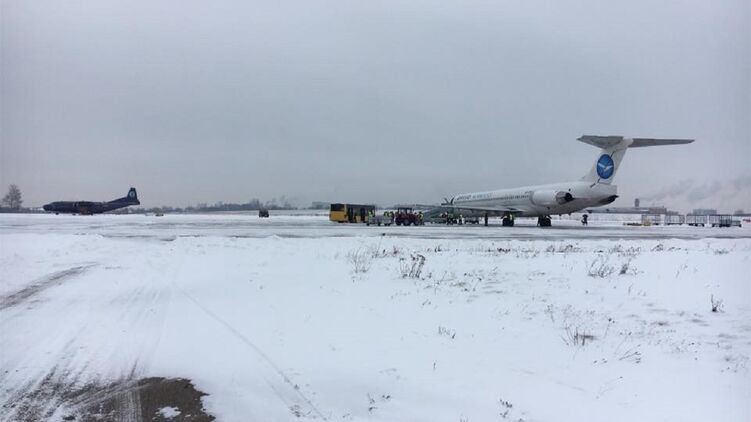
column 612, row 150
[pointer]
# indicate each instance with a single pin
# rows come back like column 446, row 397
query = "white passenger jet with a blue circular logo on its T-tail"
column 594, row 189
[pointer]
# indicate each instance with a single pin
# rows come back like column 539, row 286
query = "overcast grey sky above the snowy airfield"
column 377, row 101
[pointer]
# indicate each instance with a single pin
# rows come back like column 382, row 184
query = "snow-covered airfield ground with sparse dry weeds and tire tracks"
column 294, row 318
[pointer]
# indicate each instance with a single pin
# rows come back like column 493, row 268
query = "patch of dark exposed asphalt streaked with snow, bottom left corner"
column 126, row 400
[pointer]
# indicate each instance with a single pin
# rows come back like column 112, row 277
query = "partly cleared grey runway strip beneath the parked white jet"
column 318, row 226
